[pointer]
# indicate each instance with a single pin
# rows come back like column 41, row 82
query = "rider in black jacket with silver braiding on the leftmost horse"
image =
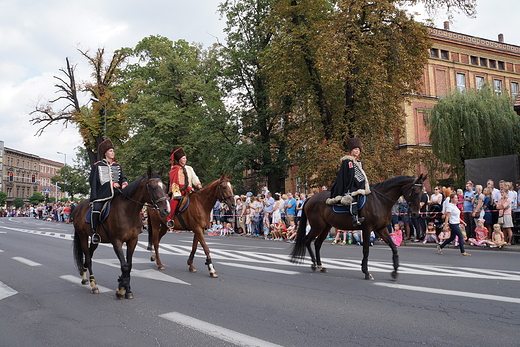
column 105, row 176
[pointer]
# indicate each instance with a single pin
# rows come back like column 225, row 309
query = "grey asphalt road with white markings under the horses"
column 259, row 298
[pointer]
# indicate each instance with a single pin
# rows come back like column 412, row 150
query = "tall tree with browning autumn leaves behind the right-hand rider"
column 349, row 65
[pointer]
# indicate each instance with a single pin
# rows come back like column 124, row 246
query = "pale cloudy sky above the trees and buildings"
column 36, row 36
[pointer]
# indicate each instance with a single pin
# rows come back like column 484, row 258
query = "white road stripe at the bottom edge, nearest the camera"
column 215, row 330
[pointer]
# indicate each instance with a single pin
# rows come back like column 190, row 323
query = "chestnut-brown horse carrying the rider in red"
column 194, row 215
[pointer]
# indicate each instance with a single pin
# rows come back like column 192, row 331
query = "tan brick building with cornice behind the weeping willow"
column 458, row 61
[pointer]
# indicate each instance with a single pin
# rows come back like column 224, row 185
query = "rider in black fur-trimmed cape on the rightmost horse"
column 351, row 181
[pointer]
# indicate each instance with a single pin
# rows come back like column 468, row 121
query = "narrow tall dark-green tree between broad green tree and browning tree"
column 264, row 149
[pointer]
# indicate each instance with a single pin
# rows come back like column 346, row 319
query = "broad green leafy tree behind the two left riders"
column 174, row 100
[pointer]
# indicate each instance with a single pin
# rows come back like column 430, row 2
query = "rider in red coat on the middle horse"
column 182, row 180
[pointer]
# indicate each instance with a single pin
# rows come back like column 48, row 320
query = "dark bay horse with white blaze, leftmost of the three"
column 122, row 225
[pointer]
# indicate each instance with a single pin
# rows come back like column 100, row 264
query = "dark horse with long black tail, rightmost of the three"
column 377, row 212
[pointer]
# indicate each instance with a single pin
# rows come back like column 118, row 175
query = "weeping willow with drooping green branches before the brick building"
column 473, row 124
